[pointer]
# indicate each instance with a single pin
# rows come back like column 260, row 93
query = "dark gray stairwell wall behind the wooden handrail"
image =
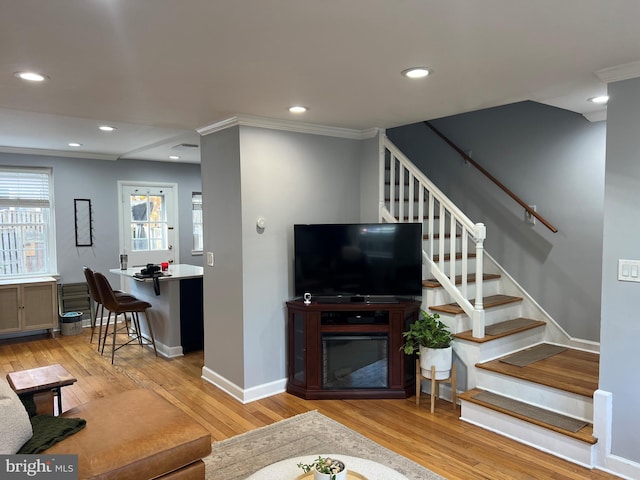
column 551, row 158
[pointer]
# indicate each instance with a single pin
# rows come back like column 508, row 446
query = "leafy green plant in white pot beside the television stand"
column 431, row 339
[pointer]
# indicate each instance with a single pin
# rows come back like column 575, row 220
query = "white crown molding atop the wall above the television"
column 289, row 126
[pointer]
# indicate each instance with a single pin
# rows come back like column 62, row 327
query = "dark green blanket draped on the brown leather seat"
column 47, row 429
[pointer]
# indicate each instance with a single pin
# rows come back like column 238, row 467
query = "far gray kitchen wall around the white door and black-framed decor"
column 97, row 180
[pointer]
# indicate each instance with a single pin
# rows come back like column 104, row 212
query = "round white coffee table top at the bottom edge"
column 288, row 469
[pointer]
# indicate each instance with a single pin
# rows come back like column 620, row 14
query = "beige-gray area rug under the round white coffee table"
column 309, row 433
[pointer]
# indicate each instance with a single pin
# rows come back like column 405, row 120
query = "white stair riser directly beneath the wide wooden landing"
column 565, row 403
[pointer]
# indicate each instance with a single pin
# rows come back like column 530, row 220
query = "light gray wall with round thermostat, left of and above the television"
column 286, row 178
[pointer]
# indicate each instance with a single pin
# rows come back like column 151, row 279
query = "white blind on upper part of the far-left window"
column 25, row 187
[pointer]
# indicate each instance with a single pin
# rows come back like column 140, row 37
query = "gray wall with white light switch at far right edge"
column 620, row 326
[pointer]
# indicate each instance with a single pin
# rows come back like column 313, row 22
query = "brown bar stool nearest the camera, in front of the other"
column 118, row 306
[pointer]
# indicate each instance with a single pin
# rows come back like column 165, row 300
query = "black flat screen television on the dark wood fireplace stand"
column 358, row 260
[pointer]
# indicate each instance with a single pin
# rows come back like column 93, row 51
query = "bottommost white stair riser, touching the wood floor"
column 555, row 443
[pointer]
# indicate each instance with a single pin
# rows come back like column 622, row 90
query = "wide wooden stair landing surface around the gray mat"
column 574, row 371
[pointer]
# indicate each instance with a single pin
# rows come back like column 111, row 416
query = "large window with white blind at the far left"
column 27, row 227
